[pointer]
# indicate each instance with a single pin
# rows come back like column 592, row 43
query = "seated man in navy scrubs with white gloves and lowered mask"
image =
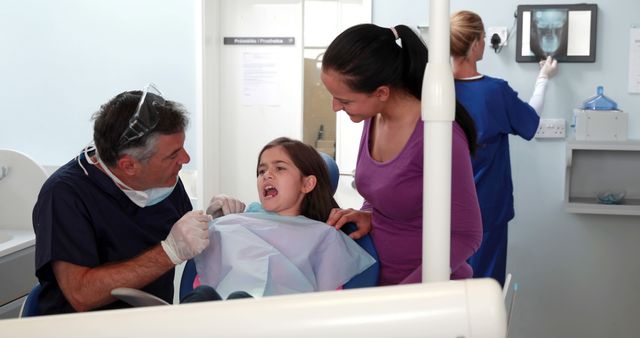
column 118, row 215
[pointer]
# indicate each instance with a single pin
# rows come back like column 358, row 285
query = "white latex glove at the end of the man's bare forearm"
column 188, row 237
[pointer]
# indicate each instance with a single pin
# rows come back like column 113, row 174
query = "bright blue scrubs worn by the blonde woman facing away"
column 497, row 112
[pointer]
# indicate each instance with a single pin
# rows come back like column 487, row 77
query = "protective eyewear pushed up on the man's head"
column 146, row 116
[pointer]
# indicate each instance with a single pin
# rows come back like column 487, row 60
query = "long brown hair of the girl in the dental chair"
column 316, row 204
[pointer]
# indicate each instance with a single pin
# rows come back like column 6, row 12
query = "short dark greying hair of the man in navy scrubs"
column 112, row 119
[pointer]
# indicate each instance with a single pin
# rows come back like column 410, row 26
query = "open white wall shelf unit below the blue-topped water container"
column 597, row 166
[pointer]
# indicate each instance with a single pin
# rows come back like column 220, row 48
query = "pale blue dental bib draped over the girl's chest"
column 266, row 254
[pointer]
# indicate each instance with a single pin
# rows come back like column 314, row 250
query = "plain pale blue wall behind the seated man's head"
column 62, row 59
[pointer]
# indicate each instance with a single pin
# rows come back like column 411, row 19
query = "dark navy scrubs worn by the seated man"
column 86, row 220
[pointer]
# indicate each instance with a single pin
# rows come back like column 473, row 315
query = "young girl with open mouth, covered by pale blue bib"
column 282, row 245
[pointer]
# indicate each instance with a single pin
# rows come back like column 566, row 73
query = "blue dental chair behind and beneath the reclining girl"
column 367, row 278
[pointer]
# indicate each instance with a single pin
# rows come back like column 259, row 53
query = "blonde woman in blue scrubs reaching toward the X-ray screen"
column 497, row 112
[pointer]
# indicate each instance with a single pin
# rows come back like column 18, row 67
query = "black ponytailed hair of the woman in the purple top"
column 369, row 57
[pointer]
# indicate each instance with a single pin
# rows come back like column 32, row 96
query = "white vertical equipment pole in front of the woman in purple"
column 438, row 112
